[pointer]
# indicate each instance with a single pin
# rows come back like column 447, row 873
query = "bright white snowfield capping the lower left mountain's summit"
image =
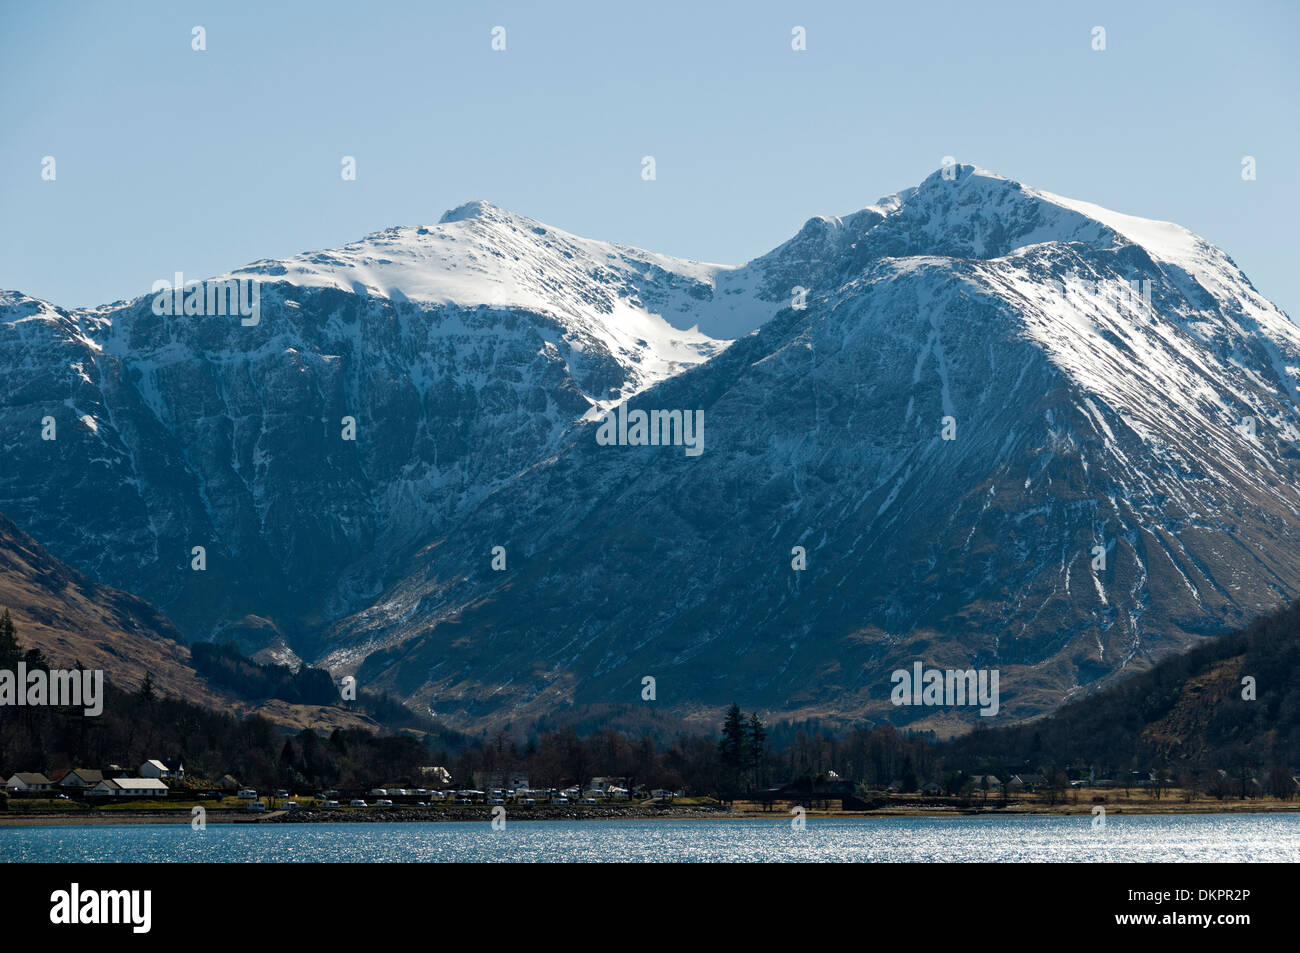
column 643, row 306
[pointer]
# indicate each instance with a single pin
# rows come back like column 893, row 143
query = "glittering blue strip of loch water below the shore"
column 1258, row 838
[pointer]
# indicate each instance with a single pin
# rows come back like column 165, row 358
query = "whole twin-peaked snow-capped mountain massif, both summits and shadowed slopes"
column 1008, row 431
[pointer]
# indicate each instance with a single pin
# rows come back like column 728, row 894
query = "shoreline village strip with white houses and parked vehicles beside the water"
column 162, row 789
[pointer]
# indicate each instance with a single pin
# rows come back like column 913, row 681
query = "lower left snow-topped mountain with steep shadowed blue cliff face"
column 463, row 352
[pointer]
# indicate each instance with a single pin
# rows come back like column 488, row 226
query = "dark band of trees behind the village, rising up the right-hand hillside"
column 1224, row 717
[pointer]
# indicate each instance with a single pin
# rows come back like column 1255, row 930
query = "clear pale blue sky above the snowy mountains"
column 168, row 159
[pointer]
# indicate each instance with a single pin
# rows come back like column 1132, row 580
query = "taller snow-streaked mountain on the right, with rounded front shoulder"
column 1084, row 417
